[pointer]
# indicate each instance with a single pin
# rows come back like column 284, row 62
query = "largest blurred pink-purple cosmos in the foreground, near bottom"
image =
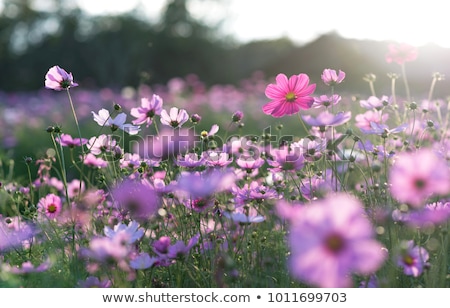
column 330, row 239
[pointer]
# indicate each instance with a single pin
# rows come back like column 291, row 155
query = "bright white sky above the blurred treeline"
column 414, row 22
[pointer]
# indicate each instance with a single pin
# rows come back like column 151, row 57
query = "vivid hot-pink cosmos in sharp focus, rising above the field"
column 289, row 95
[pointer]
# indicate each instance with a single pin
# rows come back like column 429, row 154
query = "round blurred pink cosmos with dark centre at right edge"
column 414, row 177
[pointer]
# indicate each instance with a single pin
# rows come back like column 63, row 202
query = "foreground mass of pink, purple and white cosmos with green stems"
column 351, row 200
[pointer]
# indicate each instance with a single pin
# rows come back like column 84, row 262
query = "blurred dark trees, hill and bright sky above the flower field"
column 128, row 43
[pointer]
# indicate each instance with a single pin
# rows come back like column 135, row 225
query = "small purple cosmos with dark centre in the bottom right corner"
column 413, row 259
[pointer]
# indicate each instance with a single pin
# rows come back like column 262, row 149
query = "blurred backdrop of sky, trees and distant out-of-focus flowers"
column 211, row 57
